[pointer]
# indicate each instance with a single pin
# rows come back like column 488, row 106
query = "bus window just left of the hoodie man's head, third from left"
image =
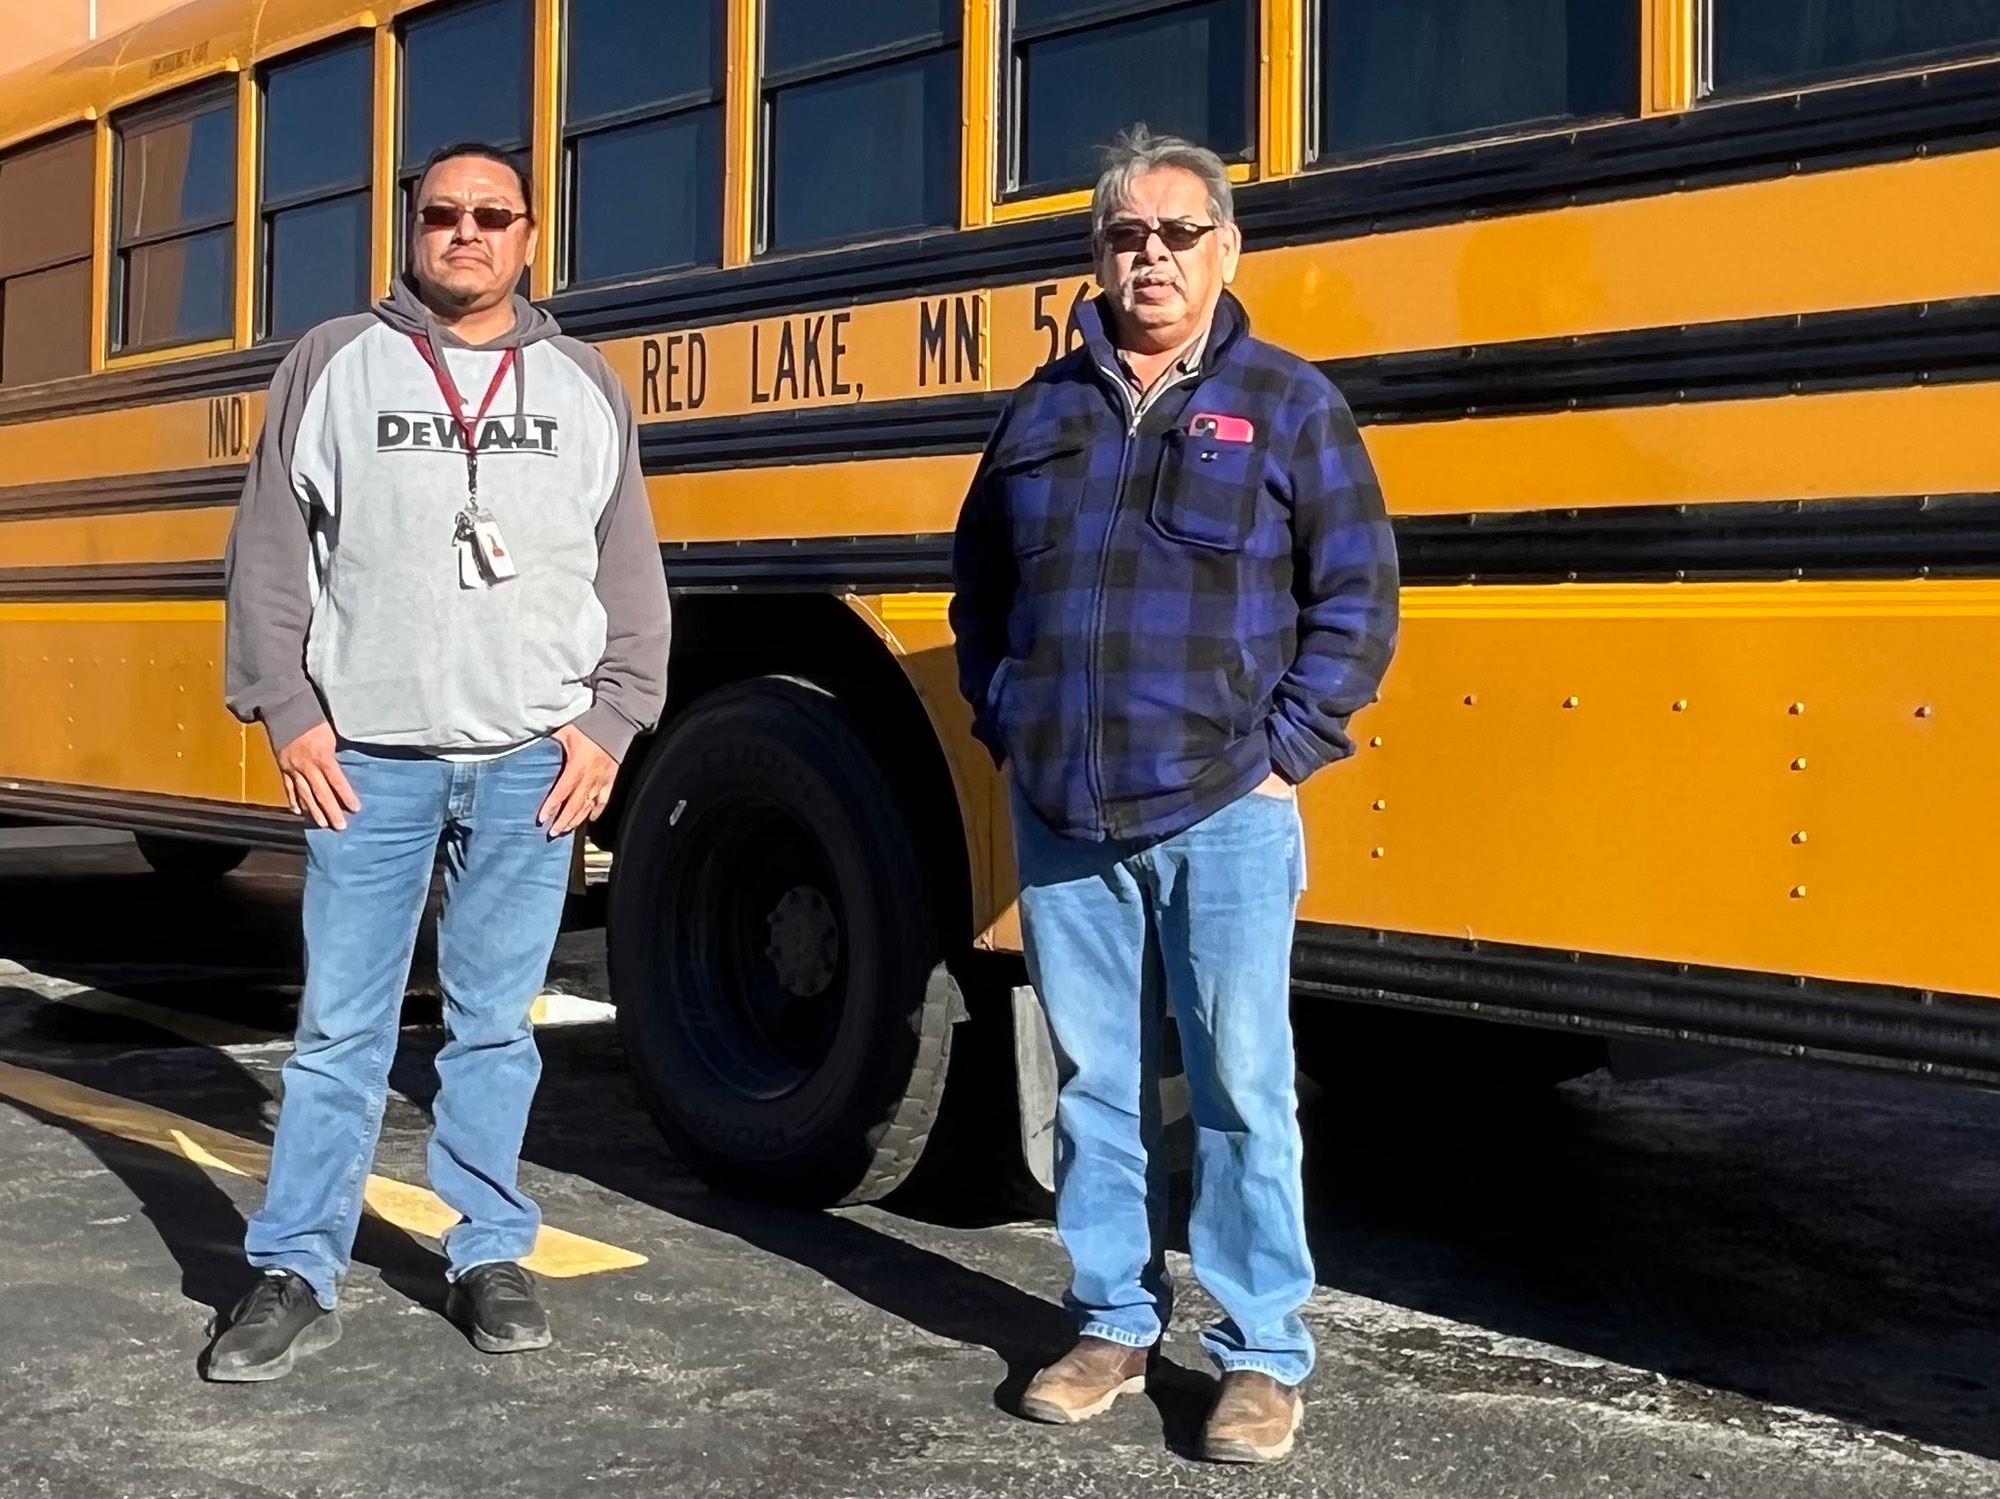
column 315, row 197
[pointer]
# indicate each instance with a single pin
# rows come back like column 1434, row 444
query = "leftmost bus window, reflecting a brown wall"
column 45, row 261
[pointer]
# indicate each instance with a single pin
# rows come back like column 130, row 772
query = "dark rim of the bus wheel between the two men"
column 757, row 948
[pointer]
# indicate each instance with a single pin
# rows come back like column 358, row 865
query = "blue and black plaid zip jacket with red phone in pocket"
column 1153, row 619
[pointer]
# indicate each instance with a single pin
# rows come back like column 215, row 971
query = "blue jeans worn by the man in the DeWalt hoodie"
column 367, row 888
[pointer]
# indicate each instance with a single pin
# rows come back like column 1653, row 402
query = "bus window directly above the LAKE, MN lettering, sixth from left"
column 861, row 119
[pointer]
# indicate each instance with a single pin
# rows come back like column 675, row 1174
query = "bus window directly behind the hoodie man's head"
column 465, row 77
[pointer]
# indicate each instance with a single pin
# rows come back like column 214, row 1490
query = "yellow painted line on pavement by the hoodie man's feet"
column 419, row 1210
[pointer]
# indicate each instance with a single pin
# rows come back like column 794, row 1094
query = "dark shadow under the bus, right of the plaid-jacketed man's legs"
column 1791, row 1238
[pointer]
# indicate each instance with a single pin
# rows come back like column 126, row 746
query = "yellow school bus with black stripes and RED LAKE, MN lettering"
column 1673, row 327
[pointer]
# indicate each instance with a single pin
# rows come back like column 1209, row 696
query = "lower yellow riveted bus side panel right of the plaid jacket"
column 1765, row 776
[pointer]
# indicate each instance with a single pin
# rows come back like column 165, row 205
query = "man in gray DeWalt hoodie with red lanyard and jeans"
column 447, row 609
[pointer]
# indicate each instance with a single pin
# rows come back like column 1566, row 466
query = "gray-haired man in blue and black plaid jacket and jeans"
column 1175, row 583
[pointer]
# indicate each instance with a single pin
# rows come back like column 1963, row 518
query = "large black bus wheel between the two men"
column 779, row 976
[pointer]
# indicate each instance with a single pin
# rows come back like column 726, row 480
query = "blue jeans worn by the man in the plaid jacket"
column 1203, row 920
